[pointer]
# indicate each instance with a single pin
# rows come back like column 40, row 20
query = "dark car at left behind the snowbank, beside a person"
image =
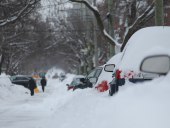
column 21, row 80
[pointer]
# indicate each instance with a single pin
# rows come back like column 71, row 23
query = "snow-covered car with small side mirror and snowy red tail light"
column 102, row 75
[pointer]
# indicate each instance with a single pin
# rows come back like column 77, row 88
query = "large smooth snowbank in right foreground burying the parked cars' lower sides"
column 143, row 105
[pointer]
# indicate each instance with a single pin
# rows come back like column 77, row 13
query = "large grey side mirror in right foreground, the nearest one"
column 158, row 64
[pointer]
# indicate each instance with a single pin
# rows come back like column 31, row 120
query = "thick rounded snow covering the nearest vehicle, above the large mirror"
column 146, row 41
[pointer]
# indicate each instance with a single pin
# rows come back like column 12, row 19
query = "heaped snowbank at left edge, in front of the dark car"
column 9, row 91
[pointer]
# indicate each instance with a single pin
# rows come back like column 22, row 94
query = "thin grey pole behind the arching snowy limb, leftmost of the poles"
column 95, row 39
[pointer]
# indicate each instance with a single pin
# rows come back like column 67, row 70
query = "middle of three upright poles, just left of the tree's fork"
column 111, row 26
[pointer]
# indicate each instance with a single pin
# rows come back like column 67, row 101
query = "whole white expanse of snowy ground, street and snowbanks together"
column 145, row 105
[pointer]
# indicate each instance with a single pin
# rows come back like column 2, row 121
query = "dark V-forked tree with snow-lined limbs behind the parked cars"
column 143, row 18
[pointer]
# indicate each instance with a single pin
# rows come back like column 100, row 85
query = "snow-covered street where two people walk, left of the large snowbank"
column 33, row 111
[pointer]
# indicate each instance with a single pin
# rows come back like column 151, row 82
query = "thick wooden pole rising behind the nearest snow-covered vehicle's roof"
column 159, row 13
